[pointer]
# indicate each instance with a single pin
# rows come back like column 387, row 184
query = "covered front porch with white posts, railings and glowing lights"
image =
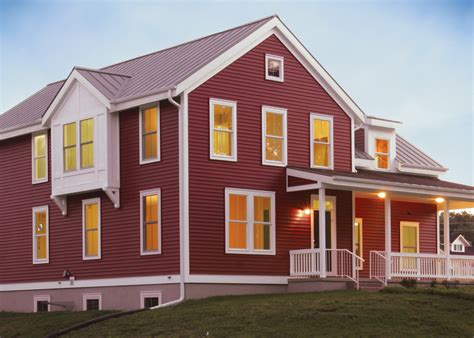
column 395, row 230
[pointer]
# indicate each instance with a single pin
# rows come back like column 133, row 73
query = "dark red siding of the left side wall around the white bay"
column 120, row 227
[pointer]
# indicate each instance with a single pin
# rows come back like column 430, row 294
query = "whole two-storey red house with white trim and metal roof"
column 200, row 170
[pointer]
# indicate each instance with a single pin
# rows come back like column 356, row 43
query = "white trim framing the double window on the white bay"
column 78, row 146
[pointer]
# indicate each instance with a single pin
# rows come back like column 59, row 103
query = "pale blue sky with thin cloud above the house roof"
column 408, row 60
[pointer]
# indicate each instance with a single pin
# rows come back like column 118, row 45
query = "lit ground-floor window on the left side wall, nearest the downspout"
column 150, row 231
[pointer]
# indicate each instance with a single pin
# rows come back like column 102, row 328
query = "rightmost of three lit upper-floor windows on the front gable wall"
column 321, row 141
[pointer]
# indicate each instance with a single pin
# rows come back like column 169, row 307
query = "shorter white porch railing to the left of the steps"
column 340, row 263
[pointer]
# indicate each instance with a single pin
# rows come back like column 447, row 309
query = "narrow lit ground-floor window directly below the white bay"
column 91, row 228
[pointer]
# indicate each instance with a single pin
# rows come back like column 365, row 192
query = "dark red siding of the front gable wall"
column 244, row 82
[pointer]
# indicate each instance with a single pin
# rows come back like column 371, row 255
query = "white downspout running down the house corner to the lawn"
column 182, row 290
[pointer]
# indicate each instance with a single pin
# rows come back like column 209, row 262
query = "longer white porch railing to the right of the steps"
column 421, row 266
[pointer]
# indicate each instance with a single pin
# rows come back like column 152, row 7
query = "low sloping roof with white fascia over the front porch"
column 376, row 180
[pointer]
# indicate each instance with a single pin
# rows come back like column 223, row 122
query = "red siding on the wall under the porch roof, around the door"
column 372, row 212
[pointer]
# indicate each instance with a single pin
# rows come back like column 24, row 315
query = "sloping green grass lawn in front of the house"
column 392, row 313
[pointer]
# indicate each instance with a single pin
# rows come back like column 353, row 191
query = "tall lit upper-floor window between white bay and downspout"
column 149, row 135
